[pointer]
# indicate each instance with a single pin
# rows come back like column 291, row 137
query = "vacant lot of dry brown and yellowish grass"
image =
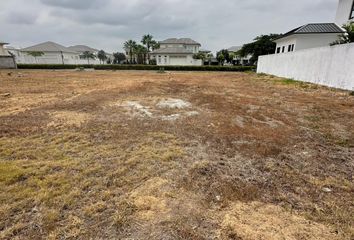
column 143, row 155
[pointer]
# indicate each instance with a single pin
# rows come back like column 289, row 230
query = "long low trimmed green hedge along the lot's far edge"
column 139, row 67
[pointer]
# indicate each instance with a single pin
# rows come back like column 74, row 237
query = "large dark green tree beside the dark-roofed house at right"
column 262, row 45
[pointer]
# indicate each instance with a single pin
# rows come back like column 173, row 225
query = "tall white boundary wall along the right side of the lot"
column 330, row 66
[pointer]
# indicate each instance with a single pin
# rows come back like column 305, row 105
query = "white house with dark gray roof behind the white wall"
column 308, row 36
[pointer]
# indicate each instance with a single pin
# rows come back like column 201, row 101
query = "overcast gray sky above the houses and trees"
column 106, row 24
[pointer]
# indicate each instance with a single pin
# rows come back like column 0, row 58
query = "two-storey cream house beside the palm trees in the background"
column 175, row 51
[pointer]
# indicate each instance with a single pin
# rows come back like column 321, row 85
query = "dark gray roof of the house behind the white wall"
column 314, row 28
